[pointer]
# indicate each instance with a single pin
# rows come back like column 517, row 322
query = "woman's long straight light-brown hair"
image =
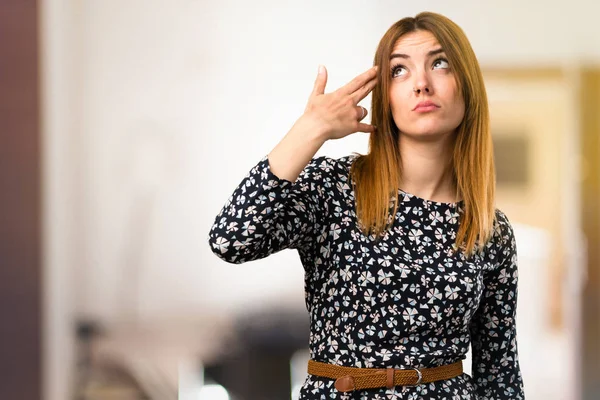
column 377, row 175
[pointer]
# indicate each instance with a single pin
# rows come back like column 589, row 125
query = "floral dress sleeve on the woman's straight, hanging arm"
column 495, row 367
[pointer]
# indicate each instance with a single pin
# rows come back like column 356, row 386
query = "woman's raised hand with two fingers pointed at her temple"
column 339, row 111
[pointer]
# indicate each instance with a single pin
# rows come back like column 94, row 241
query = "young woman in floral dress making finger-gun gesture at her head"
column 407, row 260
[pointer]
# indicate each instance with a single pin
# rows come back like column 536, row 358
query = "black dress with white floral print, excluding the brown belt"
column 406, row 301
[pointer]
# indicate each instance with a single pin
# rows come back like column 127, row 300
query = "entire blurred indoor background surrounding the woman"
column 126, row 125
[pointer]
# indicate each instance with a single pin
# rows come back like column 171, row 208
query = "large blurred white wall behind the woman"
column 155, row 110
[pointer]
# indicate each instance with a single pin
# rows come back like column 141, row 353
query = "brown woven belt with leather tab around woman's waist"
column 348, row 379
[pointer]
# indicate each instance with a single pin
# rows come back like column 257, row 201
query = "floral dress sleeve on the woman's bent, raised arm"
column 266, row 214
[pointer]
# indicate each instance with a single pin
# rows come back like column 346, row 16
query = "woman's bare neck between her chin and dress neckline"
column 426, row 168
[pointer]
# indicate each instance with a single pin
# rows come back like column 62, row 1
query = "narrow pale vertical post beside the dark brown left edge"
column 63, row 223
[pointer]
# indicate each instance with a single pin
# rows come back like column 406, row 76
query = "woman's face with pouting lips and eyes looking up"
column 423, row 93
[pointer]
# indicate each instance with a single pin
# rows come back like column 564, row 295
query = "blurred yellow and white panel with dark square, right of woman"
column 535, row 122
